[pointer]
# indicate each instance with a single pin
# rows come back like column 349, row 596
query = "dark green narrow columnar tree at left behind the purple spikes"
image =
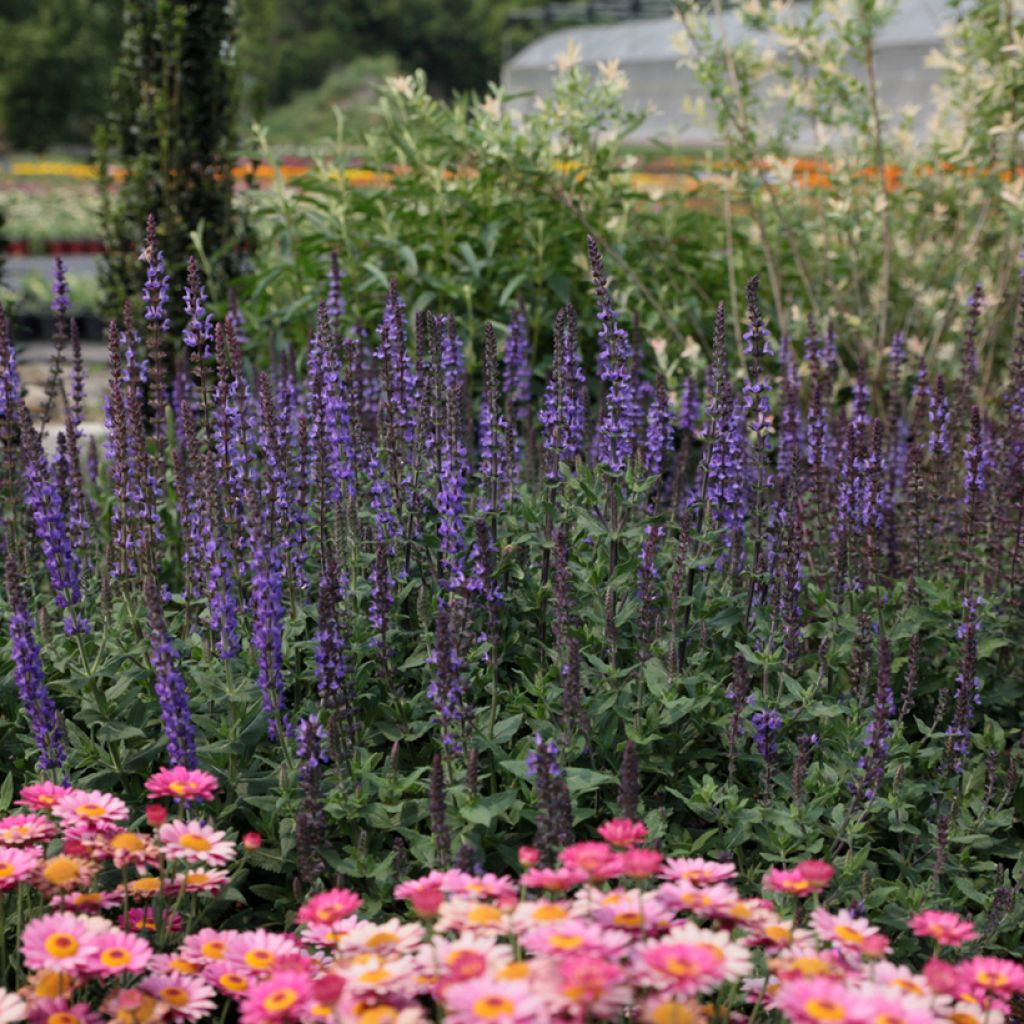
column 173, row 129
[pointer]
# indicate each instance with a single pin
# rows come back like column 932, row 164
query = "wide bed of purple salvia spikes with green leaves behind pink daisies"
column 411, row 616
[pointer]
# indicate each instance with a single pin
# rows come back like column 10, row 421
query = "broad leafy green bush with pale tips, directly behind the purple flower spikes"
column 484, row 204
